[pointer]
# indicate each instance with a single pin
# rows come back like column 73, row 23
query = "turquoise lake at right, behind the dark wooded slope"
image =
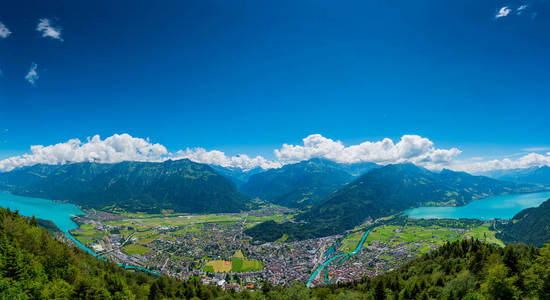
column 501, row 207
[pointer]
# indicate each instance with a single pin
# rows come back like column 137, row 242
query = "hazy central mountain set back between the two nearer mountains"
column 297, row 185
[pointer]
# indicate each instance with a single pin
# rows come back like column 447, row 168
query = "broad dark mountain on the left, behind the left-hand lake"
column 181, row 185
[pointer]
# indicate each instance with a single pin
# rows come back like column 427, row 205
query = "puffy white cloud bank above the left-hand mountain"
column 113, row 149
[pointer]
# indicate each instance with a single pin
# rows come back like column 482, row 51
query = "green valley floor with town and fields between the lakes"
column 215, row 248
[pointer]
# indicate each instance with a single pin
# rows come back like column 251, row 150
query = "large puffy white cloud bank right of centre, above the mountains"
column 410, row 148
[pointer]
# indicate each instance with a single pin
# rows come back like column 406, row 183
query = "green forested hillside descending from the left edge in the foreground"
column 35, row 266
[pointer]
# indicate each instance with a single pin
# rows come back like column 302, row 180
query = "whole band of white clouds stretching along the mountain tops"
column 409, row 149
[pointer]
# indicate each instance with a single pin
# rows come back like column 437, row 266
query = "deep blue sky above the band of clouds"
column 248, row 76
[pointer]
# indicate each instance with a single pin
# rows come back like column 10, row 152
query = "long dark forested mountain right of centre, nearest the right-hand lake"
column 389, row 190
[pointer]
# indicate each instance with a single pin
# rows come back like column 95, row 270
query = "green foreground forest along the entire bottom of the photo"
column 33, row 265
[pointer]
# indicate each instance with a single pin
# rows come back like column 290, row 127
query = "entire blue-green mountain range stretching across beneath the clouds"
column 332, row 198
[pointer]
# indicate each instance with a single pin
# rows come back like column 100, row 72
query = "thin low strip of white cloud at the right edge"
column 525, row 161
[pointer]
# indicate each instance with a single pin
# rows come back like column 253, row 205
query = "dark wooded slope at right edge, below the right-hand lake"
column 530, row 226
